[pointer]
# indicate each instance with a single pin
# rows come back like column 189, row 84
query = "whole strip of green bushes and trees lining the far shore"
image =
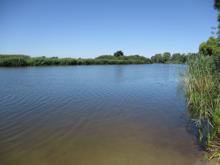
column 117, row 58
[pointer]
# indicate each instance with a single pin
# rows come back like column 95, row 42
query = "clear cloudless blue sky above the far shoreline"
column 88, row 28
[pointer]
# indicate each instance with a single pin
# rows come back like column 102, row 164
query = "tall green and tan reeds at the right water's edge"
column 203, row 97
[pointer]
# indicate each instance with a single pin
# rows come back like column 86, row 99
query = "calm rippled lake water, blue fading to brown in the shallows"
column 94, row 115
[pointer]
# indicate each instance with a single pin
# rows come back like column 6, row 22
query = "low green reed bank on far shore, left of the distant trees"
column 14, row 60
